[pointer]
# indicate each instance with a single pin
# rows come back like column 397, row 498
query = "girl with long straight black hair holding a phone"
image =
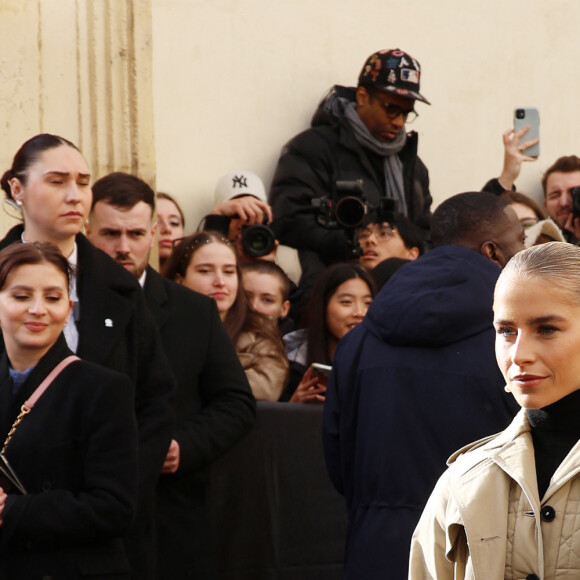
column 340, row 299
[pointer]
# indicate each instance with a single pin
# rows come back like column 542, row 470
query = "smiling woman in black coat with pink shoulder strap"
column 75, row 452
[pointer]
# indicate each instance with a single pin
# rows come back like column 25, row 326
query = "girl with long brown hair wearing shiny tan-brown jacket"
column 207, row 263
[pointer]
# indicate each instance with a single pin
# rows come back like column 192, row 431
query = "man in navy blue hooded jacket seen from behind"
column 418, row 379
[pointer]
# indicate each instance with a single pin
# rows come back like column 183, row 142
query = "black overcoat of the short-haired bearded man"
column 214, row 407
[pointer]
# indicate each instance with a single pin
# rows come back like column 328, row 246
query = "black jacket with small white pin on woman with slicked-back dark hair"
column 117, row 331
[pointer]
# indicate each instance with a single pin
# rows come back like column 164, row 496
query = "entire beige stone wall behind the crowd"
column 183, row 90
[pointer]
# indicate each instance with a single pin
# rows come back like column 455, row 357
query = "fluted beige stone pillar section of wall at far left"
column 81, row 69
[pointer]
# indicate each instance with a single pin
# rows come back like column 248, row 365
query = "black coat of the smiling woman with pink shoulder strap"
column 76, row 455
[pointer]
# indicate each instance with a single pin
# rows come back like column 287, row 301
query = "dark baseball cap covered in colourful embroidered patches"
column 393, row 71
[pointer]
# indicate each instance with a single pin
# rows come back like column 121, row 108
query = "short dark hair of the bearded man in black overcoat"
column 123, row 190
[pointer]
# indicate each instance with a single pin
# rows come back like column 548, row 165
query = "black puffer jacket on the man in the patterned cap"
column 312, row 162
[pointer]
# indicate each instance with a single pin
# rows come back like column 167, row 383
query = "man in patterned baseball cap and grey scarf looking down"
column 357, row 133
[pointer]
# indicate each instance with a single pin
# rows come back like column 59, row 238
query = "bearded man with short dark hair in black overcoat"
column 214, row 404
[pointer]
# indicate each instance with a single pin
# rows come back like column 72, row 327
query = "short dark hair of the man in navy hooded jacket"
column 465, row 217
